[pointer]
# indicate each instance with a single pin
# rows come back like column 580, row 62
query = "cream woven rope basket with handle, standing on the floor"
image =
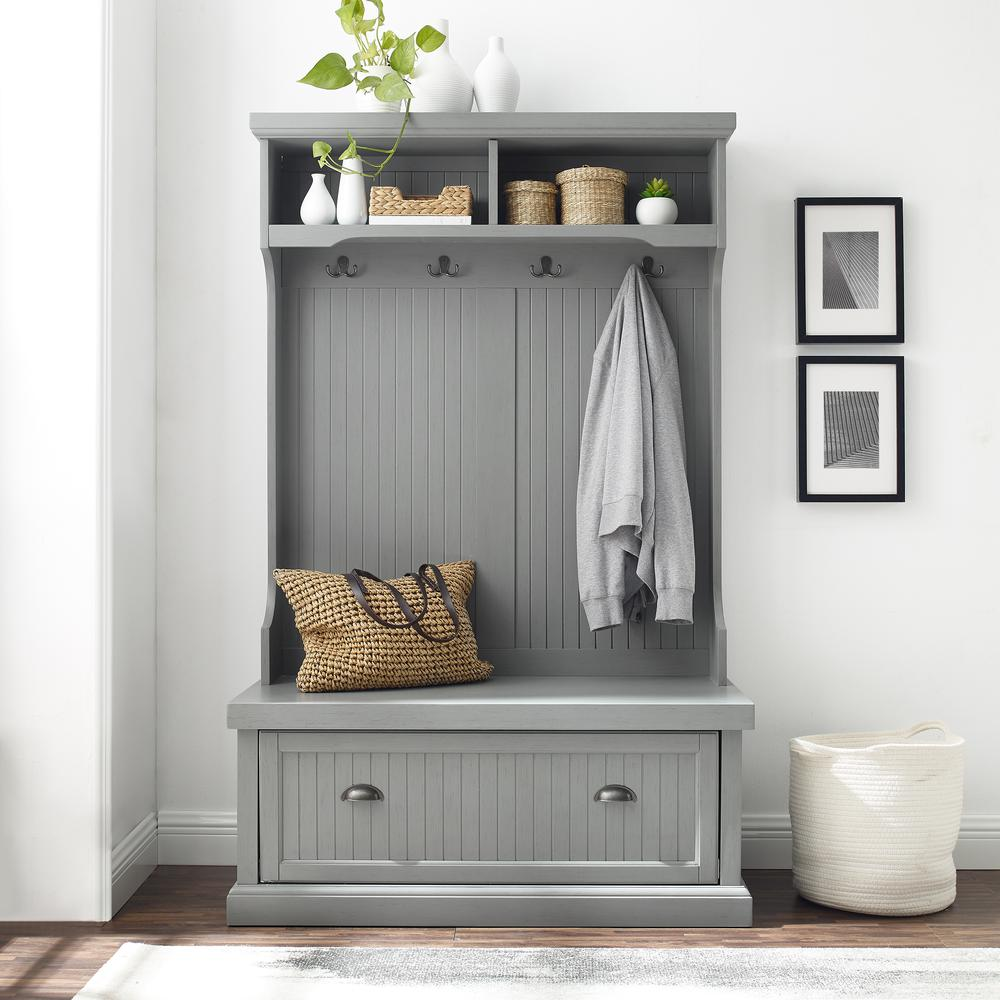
column 875, row 819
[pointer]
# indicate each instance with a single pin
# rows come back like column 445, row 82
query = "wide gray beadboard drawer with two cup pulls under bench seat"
column 489, row 807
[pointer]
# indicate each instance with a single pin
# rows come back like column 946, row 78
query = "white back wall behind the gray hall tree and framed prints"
column 840, row 616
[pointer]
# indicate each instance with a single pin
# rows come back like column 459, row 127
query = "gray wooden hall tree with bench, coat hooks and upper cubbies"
column 417, row 416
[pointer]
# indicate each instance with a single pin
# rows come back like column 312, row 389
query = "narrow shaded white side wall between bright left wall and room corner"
column 132, row 443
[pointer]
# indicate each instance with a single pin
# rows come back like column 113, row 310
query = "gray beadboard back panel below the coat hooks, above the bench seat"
column 440, row 419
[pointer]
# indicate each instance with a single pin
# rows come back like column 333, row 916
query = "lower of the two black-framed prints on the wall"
column 851, row 442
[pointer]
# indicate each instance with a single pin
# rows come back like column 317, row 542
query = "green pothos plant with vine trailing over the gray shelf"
column 382, row 64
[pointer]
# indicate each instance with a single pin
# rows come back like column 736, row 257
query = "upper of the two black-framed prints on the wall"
column 849, row 270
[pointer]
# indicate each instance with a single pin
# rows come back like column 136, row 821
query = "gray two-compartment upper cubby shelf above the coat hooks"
column 485, row 151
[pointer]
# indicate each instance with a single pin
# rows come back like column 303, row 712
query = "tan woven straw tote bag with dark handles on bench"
column 360, row 632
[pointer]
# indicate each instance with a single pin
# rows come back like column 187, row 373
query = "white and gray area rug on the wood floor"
column 144, row 972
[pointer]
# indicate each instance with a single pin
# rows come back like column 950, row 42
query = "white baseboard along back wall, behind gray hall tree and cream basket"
column 191, row 838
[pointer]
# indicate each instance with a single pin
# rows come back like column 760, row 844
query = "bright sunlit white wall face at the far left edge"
column 52, row 682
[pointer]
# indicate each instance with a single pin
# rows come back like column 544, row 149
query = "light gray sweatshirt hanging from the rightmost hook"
column 634, row 537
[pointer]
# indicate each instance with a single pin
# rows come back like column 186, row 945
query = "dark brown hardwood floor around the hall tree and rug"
column 180, row 905
